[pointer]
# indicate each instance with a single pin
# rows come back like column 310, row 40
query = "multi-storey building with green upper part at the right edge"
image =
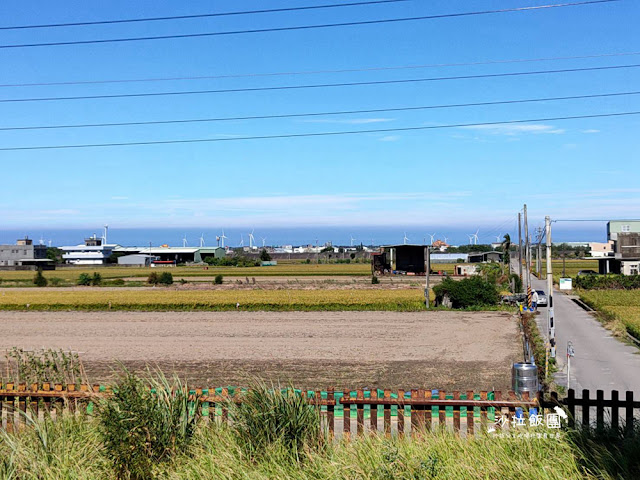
column 625, row 236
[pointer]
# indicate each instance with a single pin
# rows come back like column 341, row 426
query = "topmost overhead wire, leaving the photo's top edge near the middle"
column 200, row 15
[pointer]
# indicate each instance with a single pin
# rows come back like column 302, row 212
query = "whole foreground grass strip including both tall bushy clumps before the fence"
column 154, row 434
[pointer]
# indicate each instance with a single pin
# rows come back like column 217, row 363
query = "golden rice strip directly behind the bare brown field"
column 161, row 299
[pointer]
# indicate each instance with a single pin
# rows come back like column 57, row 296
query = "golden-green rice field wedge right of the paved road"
column 620, row 304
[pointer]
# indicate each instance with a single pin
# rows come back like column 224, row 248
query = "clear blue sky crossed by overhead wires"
column 461, row 177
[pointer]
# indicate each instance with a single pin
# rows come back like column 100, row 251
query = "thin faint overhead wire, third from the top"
column 318, row 72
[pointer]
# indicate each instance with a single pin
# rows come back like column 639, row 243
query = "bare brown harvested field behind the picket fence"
column 446, row 350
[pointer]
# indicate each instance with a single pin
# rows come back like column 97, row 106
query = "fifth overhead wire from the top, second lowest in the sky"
column 321, row 114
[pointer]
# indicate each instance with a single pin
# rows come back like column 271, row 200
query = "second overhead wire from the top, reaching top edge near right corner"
column 304, row 27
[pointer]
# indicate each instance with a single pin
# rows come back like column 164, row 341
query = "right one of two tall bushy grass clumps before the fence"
column 271, row 416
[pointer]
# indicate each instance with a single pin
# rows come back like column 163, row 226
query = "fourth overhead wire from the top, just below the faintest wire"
column 320, row 85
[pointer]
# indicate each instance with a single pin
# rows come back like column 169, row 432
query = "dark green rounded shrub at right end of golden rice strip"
column 468, row 292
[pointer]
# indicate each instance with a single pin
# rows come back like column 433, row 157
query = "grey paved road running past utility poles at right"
column 601, row 361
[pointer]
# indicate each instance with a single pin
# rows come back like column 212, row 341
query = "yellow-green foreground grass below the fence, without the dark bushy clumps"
column 74, row 450
